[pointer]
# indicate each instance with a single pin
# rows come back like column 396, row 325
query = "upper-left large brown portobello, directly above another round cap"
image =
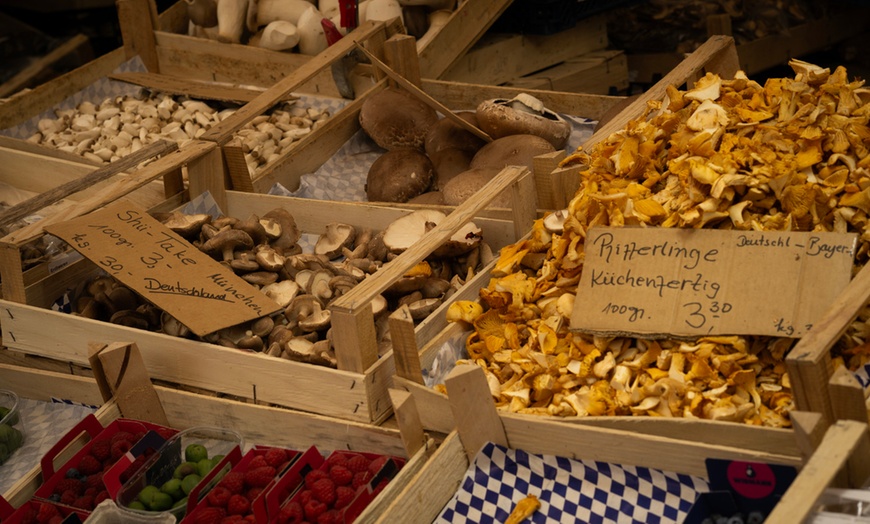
column 394, row 119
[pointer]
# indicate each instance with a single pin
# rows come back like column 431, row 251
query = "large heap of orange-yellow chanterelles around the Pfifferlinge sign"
column 790, row 155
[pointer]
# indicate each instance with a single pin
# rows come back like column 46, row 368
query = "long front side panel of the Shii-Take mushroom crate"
column 198, row 364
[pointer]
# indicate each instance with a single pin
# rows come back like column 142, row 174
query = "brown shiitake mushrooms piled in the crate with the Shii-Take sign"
column 265, row 251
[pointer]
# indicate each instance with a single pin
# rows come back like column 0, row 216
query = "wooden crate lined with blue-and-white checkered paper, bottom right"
column 477, row 423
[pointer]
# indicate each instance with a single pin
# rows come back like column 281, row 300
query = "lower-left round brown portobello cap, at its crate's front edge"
column 398, row 176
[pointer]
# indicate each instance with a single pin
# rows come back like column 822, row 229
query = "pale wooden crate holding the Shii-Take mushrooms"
column 356, row 390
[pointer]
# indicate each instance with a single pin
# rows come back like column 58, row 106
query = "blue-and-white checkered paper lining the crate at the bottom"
column 569, row 490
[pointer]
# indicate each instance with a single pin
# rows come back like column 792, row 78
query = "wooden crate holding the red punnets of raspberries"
column 258, row 424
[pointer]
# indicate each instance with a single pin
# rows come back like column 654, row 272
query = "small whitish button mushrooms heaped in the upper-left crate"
column 118, row 126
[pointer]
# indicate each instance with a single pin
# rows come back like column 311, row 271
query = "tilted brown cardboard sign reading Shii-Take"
column 165, row 269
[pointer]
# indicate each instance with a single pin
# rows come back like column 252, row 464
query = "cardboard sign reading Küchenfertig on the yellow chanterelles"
column 689, row 282
